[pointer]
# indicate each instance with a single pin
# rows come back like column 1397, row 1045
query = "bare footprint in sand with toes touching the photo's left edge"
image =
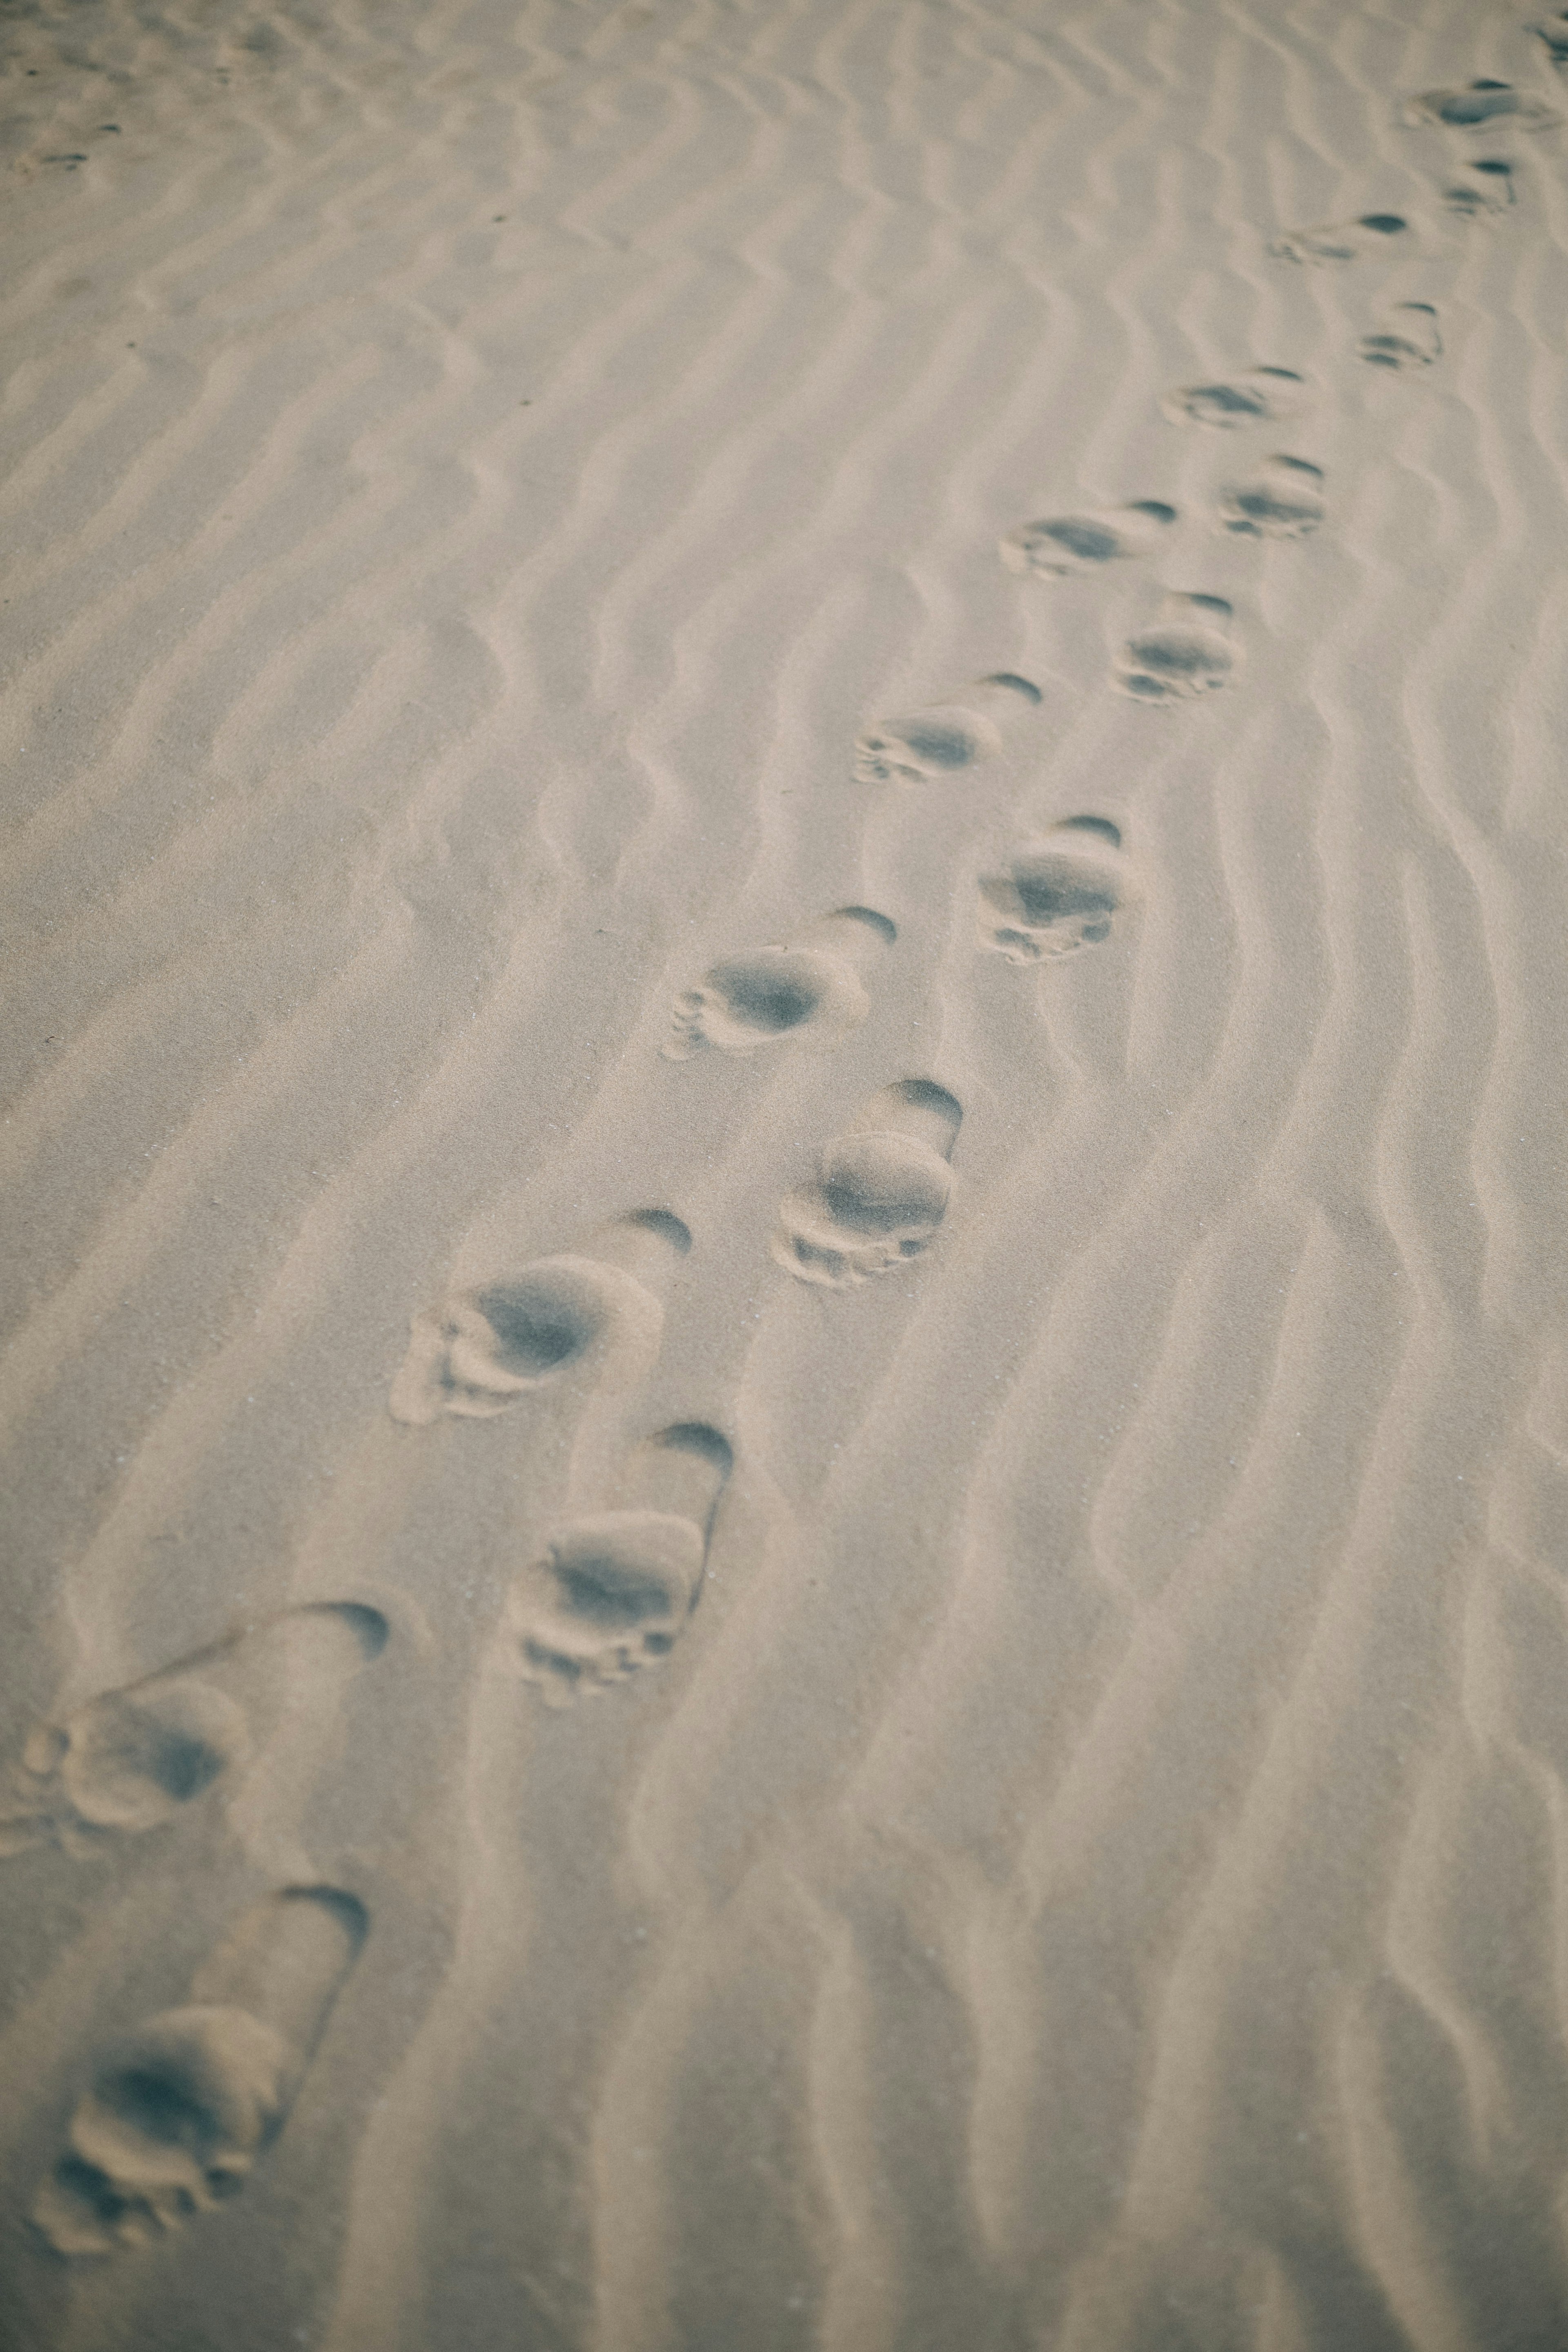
column 133, row 1760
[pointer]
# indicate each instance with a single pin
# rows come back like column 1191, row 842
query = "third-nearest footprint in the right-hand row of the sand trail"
column 880, row 1191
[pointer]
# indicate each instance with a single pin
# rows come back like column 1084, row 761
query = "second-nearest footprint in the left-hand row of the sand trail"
column 485, row 1349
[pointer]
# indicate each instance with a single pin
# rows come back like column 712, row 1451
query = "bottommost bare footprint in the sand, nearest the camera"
column 182, row 2109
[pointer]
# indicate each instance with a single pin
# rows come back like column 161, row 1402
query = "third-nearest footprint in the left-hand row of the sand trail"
column 812, row 991
